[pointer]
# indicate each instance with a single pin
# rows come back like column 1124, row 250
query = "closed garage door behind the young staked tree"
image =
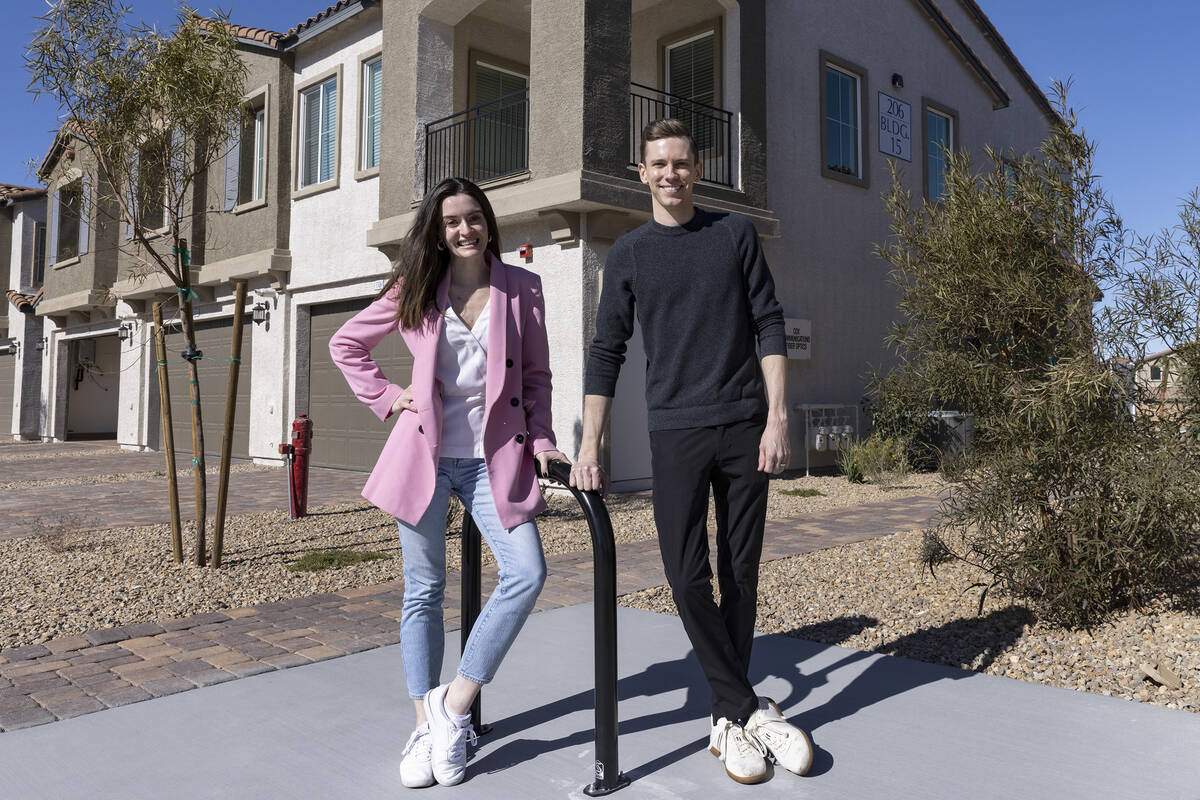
column 214, row 340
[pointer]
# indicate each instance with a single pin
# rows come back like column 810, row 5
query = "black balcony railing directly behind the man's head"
column 711, row 128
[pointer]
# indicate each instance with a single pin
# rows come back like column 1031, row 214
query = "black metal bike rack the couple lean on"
column 608, row 775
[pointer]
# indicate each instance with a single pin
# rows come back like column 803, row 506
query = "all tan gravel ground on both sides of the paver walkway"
column 869, row 597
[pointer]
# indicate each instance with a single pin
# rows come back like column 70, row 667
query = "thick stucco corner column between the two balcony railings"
column 579, row 87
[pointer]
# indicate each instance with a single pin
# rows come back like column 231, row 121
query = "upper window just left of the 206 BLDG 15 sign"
column 843, row 111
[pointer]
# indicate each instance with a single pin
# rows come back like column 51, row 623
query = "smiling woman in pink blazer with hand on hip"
column 473, row 422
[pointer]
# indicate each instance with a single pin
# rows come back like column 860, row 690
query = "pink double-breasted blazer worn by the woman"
column 517, row 399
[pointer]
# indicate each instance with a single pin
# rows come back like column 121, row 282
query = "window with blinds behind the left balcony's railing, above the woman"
column 500, row 146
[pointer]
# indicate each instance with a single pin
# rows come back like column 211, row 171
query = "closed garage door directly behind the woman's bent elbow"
column 346, row 434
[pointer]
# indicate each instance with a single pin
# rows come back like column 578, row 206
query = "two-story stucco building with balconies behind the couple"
column 800, row 111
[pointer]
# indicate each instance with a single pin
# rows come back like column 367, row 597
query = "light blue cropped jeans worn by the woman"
column 523, row 573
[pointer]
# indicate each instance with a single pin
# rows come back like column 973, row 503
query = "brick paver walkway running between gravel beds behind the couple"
column 111, row 667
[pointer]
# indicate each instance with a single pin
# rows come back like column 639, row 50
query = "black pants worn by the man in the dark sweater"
column 687, row 464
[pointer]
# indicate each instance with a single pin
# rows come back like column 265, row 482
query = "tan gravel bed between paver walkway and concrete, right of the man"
column 875, row 597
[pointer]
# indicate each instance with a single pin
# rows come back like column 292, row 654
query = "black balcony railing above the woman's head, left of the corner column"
column 483, row 143
